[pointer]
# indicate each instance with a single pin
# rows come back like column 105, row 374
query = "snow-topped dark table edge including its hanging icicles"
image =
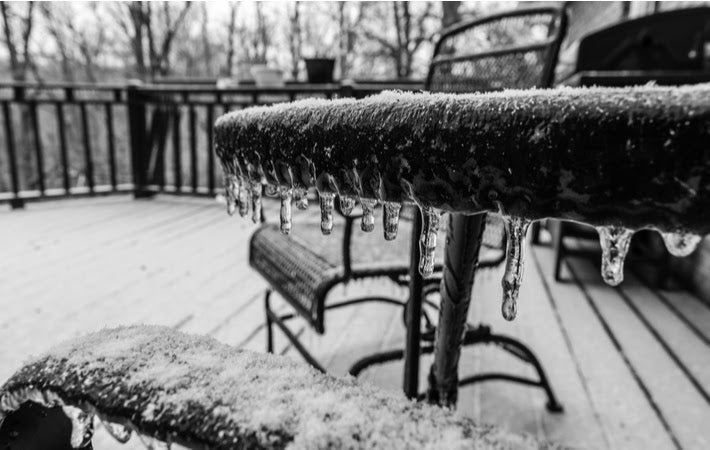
column 621, row 159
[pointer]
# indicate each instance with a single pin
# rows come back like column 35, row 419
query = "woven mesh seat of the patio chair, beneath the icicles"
column 303, row 266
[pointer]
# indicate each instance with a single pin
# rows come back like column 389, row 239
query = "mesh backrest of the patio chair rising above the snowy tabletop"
column 514, row 49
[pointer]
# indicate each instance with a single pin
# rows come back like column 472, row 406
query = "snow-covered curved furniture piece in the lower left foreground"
column 197, row 392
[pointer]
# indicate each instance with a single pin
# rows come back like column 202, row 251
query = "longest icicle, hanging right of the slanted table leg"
column 516, row 229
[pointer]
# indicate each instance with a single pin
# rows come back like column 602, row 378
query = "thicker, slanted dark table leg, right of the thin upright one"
column 463, row 241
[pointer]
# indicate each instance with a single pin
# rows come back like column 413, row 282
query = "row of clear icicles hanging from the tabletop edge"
column 242, row 194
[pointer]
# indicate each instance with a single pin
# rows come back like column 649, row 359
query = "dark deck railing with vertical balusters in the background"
column 66, row 140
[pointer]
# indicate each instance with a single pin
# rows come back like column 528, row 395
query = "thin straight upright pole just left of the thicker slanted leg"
column 414, row 312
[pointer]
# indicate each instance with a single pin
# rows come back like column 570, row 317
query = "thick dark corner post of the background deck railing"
column 140, row 150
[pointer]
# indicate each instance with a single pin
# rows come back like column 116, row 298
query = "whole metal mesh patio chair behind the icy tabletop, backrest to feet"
column 516, row 49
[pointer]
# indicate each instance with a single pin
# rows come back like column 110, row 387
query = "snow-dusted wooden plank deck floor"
column 631, row 364
